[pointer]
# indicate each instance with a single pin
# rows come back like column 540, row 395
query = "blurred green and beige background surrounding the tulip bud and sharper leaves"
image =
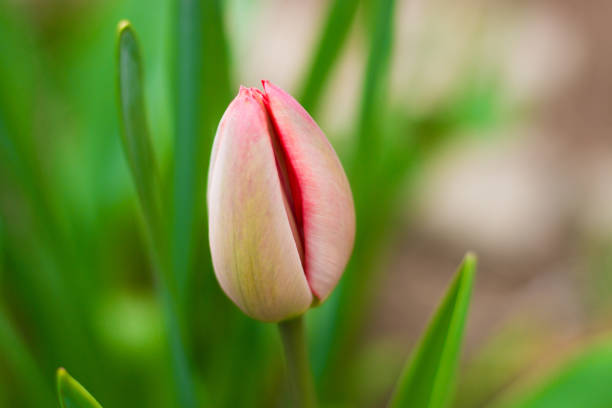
column 475, row 125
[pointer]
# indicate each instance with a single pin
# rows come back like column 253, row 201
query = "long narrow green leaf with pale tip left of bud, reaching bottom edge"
column 139, row 151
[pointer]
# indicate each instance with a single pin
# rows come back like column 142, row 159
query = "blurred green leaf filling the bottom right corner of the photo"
column 582, row 381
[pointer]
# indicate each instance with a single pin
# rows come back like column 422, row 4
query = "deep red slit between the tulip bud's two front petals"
column 293, row 191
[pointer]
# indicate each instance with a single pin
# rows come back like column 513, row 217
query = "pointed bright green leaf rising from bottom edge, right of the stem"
column 428, row 377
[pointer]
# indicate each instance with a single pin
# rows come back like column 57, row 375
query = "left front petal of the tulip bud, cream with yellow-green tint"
column 255, row 255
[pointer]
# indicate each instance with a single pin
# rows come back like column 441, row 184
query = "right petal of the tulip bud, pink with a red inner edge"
column 327, row 210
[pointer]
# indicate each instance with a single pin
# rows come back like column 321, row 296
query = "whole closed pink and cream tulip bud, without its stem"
column 280, row 208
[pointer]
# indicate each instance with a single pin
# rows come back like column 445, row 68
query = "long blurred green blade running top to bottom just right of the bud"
column 343, row 316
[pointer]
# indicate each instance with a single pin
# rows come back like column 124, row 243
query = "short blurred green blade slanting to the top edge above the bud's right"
column 333, row 37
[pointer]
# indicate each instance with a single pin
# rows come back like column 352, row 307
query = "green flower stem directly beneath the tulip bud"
column 299, row 375
